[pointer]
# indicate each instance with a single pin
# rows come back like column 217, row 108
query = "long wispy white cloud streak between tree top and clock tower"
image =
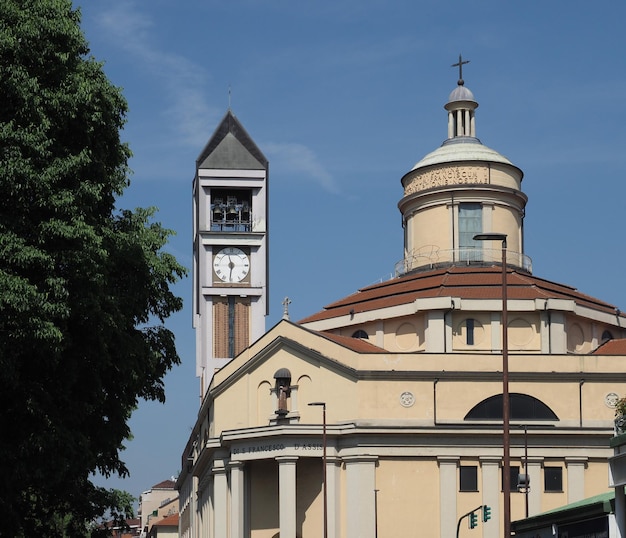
column 183, row 80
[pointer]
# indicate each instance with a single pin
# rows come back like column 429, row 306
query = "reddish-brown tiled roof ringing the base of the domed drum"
column 465, row 282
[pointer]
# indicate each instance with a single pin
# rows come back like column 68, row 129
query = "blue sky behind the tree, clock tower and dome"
column 344, row 97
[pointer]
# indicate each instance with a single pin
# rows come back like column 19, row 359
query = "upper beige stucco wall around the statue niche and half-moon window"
column 249, row 401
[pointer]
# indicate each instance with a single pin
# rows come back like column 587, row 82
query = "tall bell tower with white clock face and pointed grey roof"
column 230, row 266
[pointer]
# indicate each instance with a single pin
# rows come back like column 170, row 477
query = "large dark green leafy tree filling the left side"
column 84, row 288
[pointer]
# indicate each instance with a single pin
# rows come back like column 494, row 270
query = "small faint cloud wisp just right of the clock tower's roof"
column 302, row 162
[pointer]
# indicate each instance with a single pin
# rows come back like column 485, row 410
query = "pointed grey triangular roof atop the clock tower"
column 231, row 148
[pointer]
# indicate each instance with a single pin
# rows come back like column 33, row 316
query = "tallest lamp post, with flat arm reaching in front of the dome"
column 506, row 441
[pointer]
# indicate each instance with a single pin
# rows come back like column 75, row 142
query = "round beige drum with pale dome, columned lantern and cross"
column 461, row 189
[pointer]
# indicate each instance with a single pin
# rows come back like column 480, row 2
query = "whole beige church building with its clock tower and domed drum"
column 382, row 414
